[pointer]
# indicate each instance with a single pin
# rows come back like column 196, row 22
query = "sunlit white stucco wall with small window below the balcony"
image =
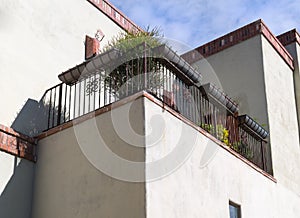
column 197, row 189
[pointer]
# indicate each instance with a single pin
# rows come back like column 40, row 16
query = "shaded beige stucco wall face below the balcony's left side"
column 68, row 182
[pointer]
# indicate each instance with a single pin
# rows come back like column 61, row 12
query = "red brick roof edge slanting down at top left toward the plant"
column 115, row 15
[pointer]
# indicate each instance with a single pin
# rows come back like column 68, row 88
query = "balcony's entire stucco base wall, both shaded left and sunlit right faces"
column 68, row 182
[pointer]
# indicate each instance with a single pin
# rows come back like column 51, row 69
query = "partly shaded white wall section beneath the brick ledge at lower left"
column 16, row 184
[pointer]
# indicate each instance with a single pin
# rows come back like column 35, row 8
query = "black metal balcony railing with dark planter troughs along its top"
column 159, row 71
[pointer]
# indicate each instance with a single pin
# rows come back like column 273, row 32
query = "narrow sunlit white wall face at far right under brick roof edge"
column 282, row 118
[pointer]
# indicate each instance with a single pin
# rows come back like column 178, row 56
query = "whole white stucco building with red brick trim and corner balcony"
column 166, row 141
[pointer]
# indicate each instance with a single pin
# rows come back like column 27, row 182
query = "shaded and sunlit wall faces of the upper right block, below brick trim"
column 257, row 77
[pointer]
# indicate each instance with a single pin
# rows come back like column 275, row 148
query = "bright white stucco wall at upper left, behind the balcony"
column 41, row 39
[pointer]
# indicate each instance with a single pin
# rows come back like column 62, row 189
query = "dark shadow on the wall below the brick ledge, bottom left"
column 16, row 198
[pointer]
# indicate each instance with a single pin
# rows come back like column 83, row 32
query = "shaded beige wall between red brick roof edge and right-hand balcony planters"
column 238, row 71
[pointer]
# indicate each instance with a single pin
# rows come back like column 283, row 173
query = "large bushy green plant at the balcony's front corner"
column 130, row 76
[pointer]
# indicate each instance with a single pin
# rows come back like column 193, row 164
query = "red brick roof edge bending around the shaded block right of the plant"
column 239, row 35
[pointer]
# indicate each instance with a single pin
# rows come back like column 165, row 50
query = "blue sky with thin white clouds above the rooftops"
column 194, row 22
